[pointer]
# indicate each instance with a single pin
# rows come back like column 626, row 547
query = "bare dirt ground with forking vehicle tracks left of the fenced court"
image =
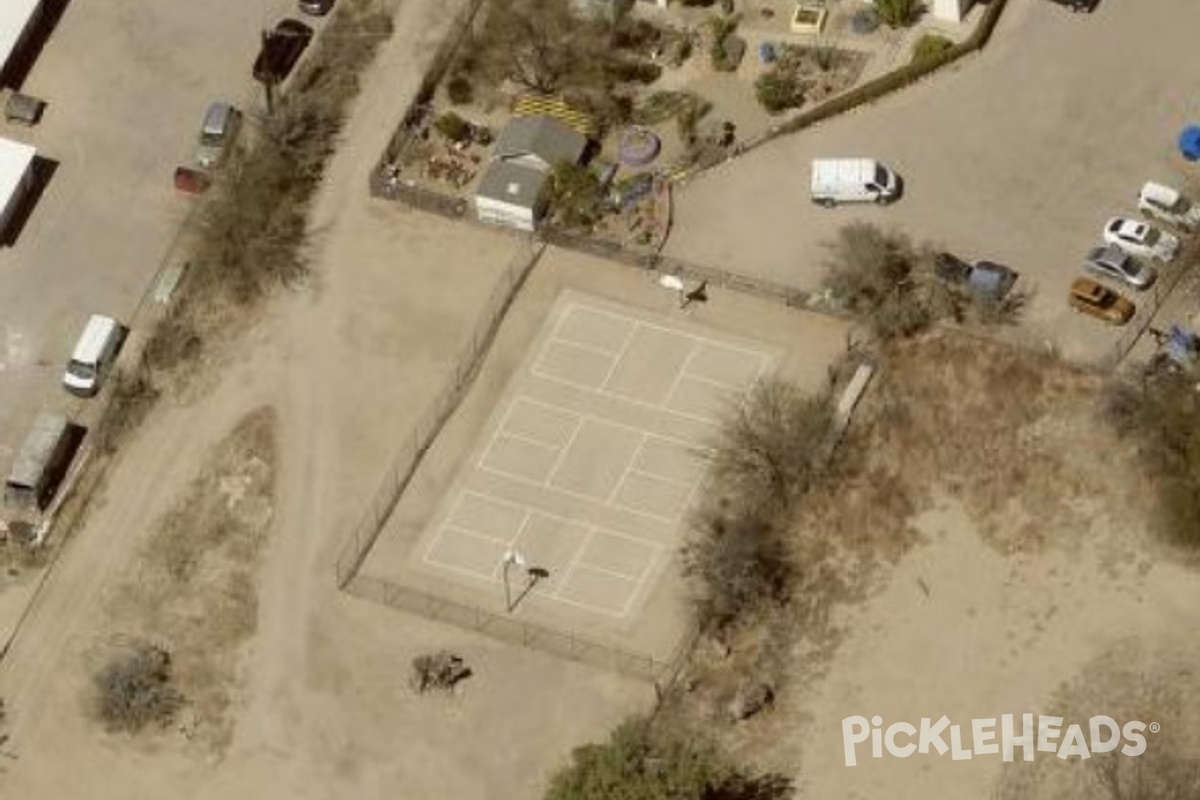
column 320, row 694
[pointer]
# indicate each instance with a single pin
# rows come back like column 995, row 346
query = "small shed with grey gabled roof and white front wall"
column 527, row 149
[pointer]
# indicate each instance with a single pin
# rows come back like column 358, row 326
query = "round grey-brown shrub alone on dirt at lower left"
column 135, row 690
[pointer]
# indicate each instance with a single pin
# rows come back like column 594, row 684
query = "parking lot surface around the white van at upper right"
column 1018, row 155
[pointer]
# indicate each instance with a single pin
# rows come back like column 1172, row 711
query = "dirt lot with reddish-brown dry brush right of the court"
column 982, row 554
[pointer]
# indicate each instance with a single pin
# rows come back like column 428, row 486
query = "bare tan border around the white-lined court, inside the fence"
column 656, row 629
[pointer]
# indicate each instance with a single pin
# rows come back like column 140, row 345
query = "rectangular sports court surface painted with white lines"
column 591, row 460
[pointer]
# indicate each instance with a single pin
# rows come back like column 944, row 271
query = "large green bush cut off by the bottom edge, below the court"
column 640, row 762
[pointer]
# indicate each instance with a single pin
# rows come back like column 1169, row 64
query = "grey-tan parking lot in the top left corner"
column 127, row 85
